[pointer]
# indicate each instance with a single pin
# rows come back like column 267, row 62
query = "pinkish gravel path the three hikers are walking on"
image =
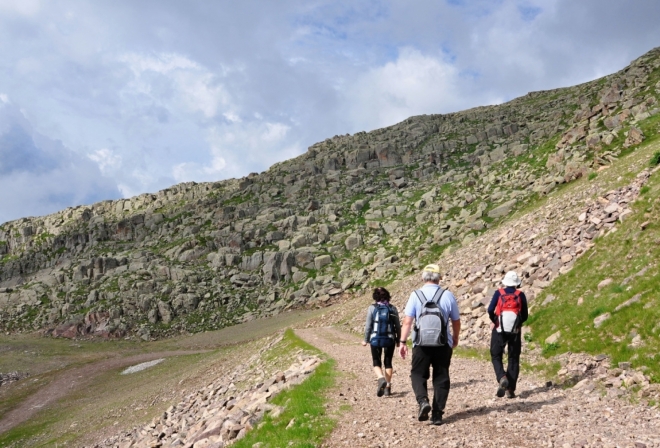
column 474, row 417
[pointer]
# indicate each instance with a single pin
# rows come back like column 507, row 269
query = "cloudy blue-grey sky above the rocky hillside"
column 109, row 99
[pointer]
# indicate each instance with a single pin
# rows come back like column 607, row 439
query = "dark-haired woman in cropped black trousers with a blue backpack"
column 381, row 332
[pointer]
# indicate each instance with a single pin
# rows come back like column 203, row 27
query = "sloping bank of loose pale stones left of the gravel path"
column 221, row 412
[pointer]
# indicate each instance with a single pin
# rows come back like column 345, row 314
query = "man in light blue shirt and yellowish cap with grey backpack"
column 427, row 354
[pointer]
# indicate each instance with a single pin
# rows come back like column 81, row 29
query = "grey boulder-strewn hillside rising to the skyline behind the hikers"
column 350, row 211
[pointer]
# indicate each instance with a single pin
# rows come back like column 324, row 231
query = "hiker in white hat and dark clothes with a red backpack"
column 507, row 312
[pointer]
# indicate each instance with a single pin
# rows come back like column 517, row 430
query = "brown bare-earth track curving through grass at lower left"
column 71, row 380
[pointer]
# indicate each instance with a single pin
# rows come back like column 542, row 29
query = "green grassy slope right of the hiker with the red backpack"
column 629, row 257
